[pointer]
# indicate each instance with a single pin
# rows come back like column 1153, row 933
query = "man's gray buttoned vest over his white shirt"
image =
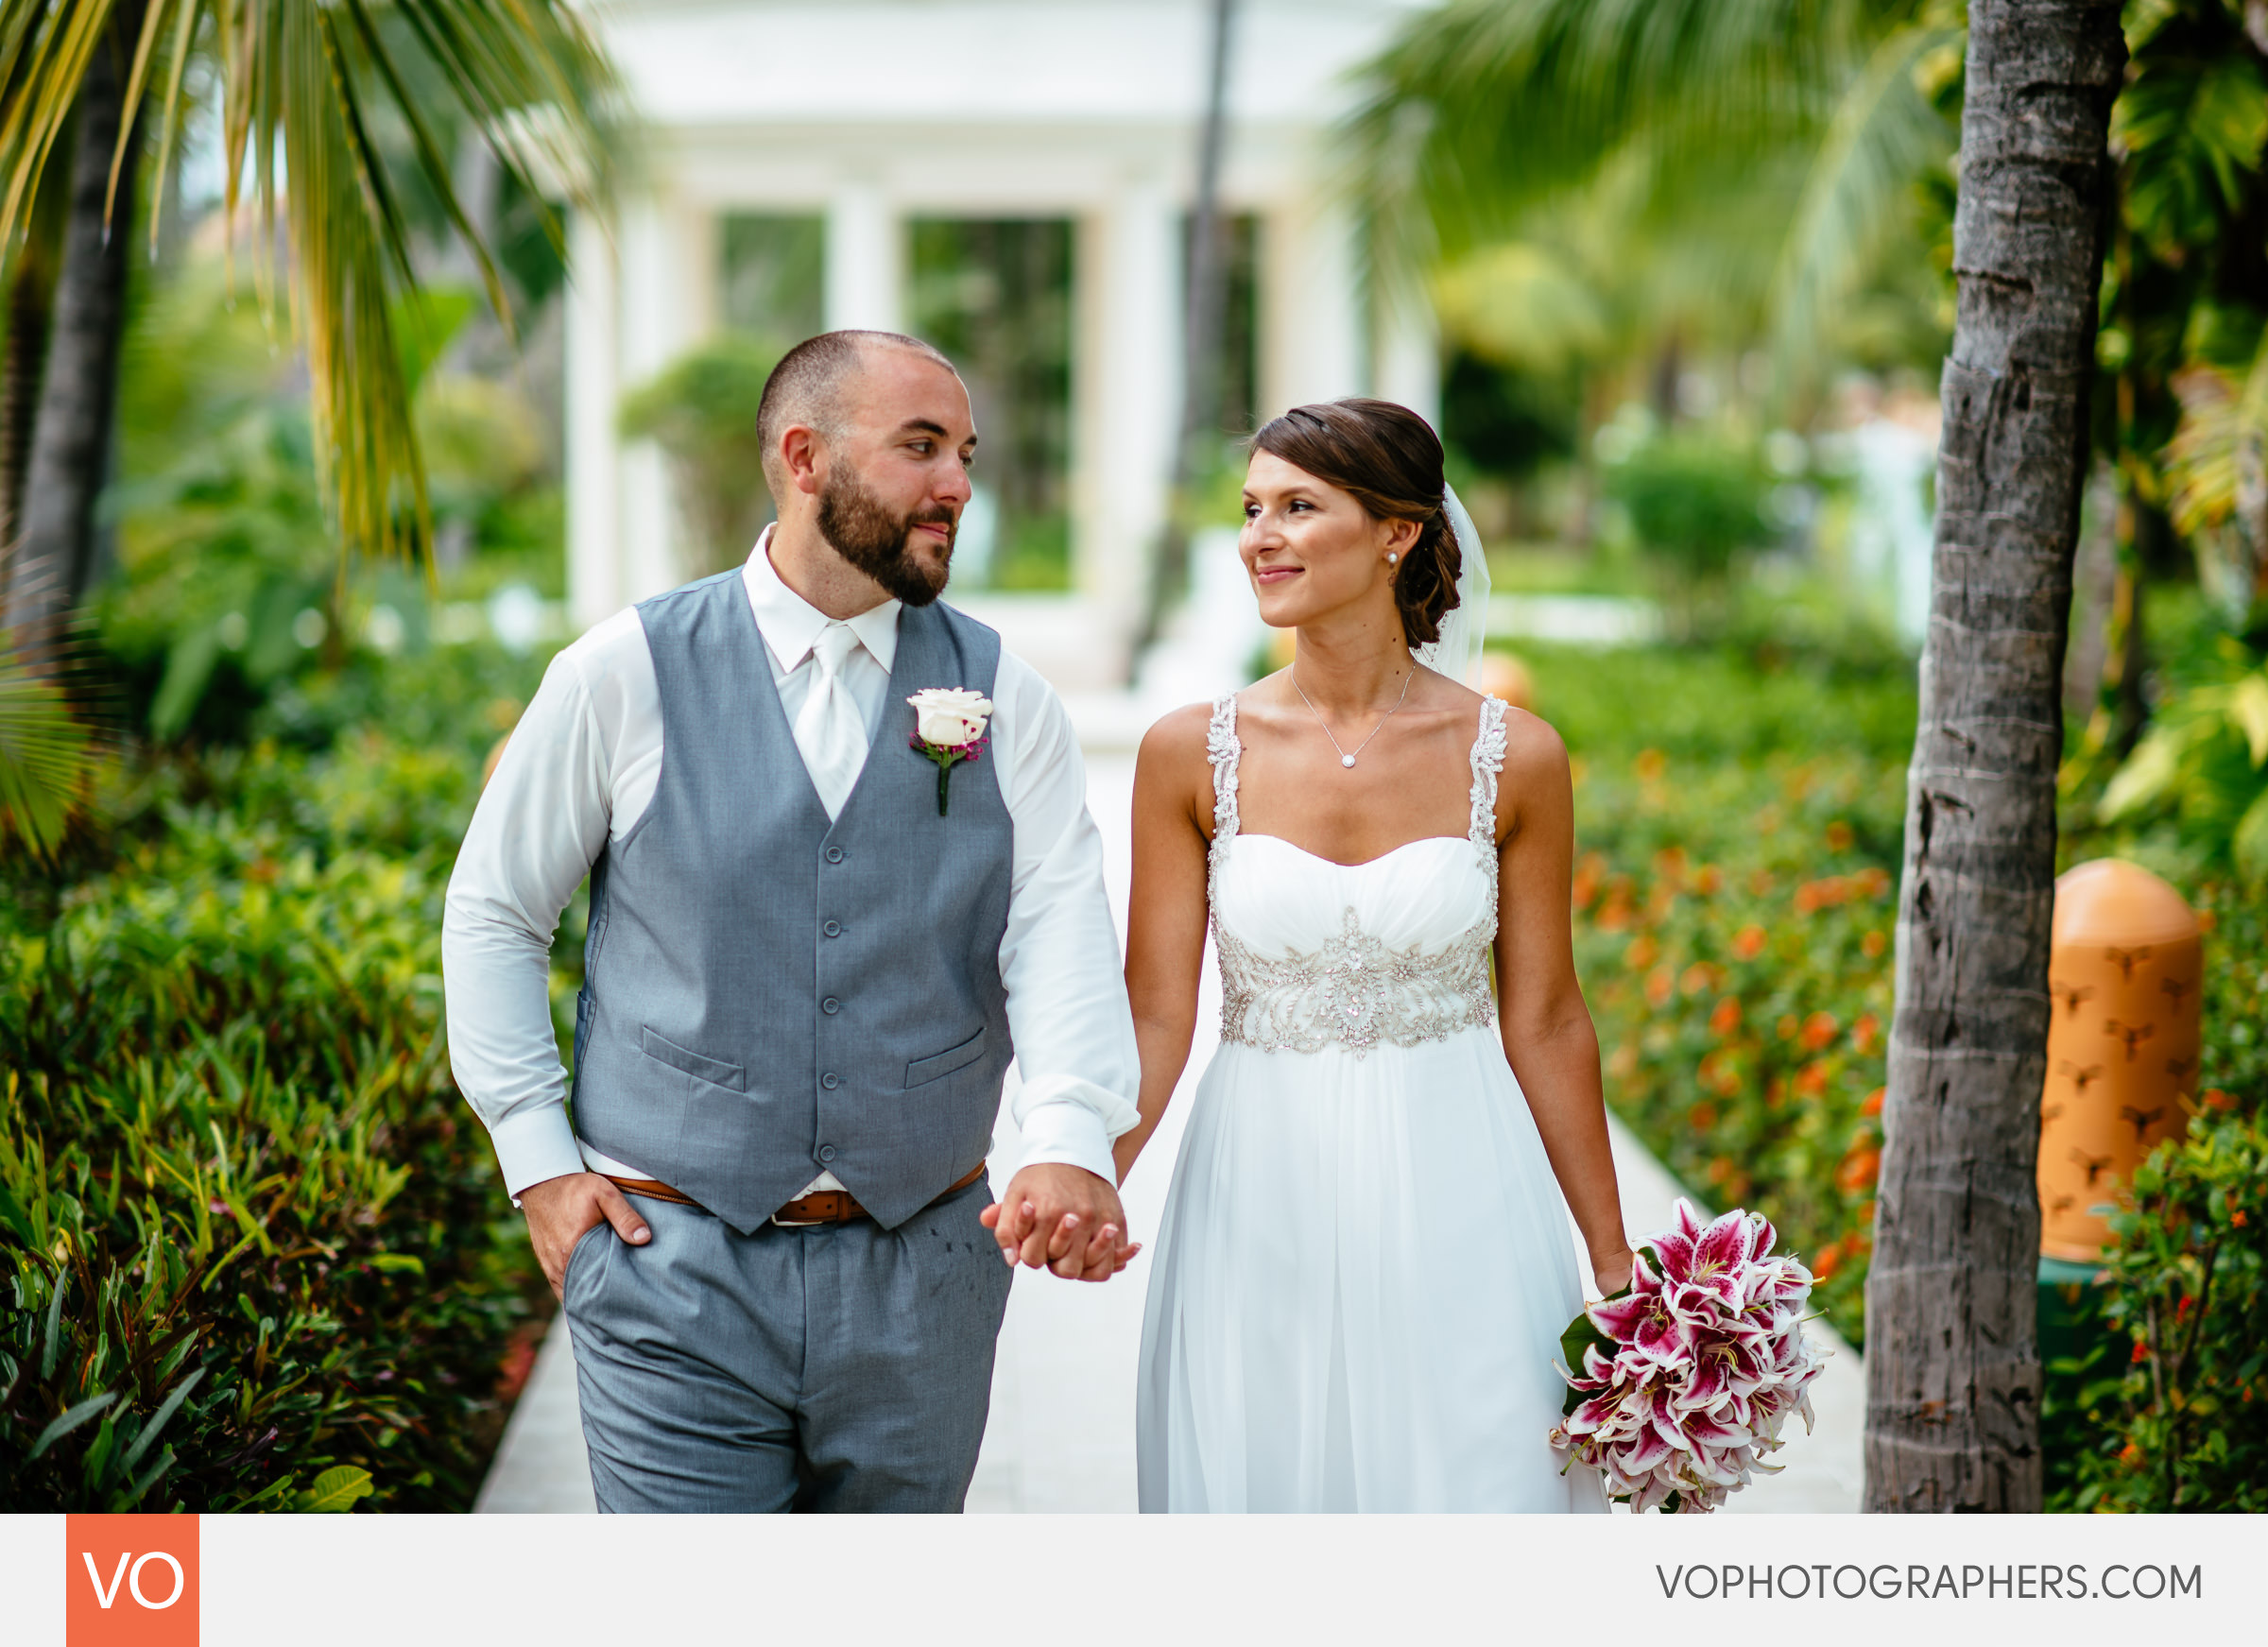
column 770, row 995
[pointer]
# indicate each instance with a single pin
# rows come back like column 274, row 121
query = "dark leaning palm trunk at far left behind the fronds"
column 71, row 441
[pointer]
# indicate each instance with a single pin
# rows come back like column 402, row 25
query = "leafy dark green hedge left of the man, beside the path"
column 253, row 1240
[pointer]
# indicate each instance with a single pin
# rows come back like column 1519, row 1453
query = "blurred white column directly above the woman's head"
column 1312, row 307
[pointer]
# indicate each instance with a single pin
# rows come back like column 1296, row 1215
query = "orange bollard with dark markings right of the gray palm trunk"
column 2122, row 1045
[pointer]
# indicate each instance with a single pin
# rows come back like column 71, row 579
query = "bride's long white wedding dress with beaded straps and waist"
column 1364, row 1265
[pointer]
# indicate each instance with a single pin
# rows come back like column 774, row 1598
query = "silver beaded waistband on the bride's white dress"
column 1353, row 993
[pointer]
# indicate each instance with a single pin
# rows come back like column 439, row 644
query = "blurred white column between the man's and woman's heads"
column 1128, row 398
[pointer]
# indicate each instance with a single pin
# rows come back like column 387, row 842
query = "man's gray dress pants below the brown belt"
column 818, row 1369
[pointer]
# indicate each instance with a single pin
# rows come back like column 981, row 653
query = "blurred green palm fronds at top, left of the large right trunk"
column 1670, row 176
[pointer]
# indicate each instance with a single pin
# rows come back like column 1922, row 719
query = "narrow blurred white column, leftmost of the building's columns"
column 593, row 482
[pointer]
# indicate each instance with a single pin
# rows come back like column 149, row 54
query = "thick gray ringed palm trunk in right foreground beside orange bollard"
column 1952, row 1349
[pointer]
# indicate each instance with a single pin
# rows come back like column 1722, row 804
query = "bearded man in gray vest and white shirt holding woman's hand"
column 809, row 968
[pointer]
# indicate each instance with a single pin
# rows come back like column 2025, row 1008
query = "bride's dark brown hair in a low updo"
column 1389, row 459
